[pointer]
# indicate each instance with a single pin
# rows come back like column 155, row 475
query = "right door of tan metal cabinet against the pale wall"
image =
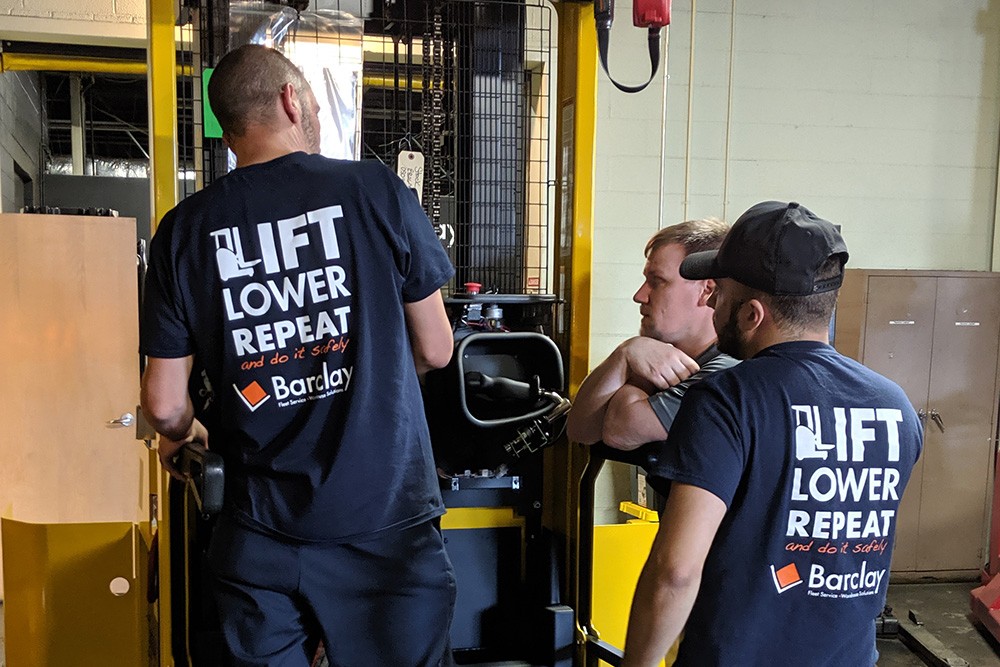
column 958, row 462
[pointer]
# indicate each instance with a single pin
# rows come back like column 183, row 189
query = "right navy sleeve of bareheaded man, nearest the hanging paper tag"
column 427, row 266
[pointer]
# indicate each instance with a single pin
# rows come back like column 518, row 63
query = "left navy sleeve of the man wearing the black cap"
column 706, row 447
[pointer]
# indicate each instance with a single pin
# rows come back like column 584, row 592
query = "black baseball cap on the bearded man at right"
column 775, row 247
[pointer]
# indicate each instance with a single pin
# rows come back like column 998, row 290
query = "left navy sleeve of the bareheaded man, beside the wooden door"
column 163, row 331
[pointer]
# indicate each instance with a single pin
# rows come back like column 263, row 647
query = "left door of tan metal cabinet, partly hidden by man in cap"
column 899, row 325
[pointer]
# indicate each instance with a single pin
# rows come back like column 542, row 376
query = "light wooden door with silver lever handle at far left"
column 69, row 334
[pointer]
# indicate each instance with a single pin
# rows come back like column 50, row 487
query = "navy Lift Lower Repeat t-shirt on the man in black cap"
column 811, row 452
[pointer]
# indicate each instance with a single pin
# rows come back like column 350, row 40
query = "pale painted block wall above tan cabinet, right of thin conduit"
column 880, row 115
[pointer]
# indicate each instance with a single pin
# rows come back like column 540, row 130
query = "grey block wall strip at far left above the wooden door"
column 20, row 134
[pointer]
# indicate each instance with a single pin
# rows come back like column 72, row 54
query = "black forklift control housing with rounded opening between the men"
column 489, row 411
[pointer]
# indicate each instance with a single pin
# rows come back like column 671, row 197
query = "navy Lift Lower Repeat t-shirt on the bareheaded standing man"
column 287, row 281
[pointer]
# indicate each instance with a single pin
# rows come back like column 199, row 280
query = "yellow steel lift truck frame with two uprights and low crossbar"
column 575, row 169
